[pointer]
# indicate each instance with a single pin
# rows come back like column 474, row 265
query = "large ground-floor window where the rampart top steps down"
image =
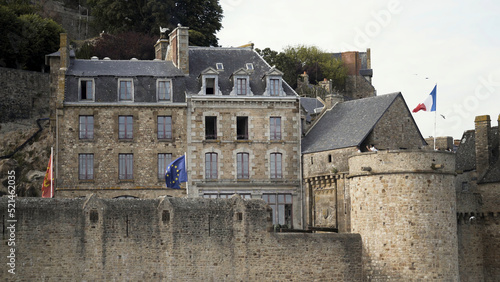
column 281, row 205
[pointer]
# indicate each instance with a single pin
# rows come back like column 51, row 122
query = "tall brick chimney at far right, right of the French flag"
column 483, row 146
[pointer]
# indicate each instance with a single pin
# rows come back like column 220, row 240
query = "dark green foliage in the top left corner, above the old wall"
column 26, row 39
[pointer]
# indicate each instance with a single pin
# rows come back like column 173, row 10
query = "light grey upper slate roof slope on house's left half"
column 123, row 68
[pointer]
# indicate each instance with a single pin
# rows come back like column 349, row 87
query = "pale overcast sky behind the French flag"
column 414, row 46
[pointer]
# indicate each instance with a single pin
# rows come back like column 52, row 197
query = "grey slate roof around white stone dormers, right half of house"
column 233, row 59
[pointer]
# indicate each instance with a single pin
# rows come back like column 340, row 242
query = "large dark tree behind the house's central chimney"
column 203, row 17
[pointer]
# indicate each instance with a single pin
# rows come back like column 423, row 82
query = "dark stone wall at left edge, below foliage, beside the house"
column 23, row 95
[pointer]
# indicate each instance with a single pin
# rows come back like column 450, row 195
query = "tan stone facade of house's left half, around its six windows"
column 106, row 146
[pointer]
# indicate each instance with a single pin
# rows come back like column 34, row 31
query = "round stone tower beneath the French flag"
column 403, row 204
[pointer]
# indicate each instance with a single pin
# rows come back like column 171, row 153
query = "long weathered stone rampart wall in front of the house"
column 168, row 239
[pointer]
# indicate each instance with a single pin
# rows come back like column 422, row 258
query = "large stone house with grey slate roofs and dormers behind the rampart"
column 119, row 123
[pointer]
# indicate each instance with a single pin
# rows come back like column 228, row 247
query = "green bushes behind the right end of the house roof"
column 318, row 64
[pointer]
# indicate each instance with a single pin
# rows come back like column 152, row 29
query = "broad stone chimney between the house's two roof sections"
column 178, row 51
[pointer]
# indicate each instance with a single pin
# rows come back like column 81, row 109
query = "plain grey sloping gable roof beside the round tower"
column 347, row 124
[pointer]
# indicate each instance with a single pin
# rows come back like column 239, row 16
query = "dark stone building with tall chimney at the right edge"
column 478, row 192
